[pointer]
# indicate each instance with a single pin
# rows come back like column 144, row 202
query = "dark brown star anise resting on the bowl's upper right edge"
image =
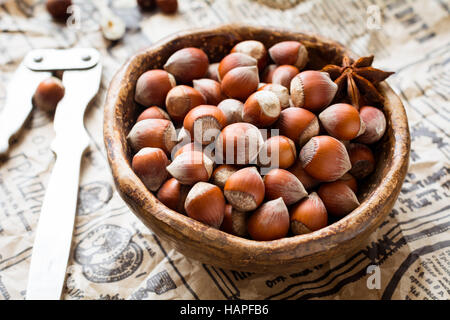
column 358, row 78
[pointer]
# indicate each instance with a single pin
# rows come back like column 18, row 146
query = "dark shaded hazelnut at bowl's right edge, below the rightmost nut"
column 362, row 160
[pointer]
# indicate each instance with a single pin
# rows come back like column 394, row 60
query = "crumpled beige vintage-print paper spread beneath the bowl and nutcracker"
column 114, row 256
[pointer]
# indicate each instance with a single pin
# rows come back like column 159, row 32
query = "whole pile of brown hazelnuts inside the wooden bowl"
column 263, row 160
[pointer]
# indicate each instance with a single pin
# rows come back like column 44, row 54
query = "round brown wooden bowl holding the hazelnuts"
column 209, row 245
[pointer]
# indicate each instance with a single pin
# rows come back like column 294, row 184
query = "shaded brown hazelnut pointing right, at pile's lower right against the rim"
column 338, row 198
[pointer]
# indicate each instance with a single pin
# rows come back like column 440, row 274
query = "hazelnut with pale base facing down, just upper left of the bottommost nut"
column 244, row 189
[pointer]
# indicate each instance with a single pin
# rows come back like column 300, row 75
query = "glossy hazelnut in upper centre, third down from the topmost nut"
column 240, row 82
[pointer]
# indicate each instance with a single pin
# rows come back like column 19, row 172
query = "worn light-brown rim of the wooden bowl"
column 325, row 239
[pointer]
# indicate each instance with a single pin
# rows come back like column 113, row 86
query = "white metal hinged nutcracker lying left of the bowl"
column 81, row 78
